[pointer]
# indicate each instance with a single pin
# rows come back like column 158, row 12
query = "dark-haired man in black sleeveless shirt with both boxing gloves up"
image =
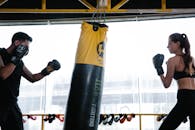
column 11, row 70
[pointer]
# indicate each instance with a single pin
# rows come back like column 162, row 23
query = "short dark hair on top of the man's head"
column 21, row 36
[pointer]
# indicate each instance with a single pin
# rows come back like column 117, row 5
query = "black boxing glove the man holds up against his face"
column 19, row 52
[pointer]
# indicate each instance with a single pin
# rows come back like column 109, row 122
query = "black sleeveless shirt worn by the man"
column 9, row 88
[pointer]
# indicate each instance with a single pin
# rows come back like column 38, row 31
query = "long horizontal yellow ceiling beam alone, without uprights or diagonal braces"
column 141, row 11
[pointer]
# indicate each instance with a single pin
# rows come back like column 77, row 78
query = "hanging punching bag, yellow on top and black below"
column 83, row 106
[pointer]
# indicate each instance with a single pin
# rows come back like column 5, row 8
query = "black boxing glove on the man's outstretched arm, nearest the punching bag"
column 51, row 66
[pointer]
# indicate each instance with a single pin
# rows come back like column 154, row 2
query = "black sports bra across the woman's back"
column 182, row 74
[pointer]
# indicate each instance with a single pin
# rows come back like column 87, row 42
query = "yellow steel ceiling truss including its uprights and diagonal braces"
column 91, row 9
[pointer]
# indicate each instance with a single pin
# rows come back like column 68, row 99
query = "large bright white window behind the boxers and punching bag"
column 131, row 84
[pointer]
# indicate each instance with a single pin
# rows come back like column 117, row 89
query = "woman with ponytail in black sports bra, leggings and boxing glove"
column 181, row 67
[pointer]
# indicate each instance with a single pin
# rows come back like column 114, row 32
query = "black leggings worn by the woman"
column 185, row 107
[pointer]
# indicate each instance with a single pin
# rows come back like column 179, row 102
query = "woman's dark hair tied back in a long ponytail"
column 184, row 44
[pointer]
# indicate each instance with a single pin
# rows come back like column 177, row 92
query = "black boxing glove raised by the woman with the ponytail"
column 158, row 61
